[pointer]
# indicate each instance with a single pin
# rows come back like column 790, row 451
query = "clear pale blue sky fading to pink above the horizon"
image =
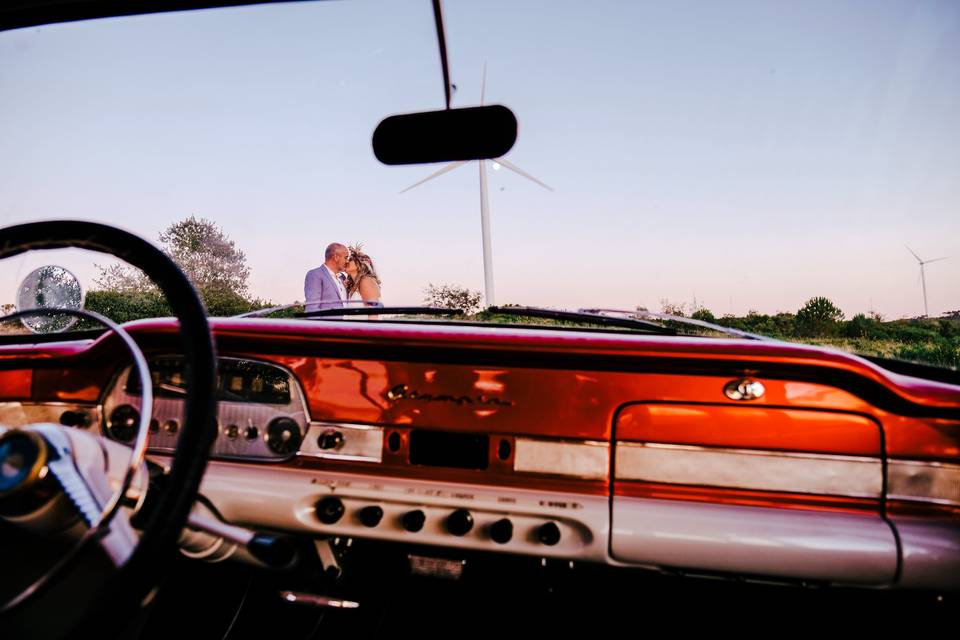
column 748, row 155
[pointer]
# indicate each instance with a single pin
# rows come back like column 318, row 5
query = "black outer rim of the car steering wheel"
column 126, row 591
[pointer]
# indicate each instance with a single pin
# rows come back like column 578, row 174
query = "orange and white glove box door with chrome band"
column 755, row 491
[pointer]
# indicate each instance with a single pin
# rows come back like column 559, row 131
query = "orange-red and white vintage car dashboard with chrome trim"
column 726, row 458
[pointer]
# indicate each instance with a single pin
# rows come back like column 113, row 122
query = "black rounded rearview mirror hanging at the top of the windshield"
column 475, row 133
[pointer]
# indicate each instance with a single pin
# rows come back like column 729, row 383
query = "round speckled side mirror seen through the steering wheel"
column 49, row 287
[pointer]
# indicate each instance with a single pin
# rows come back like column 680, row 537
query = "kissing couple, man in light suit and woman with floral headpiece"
column 346, row 276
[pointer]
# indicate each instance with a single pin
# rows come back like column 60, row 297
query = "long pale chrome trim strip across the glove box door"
column 853, row 476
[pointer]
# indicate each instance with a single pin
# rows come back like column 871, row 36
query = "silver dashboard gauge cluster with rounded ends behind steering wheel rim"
column 261, row 415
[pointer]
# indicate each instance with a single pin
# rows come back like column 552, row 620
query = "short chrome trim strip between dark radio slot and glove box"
column 585, row 459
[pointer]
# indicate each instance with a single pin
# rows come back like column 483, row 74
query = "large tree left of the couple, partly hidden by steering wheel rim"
column 211, row 261
